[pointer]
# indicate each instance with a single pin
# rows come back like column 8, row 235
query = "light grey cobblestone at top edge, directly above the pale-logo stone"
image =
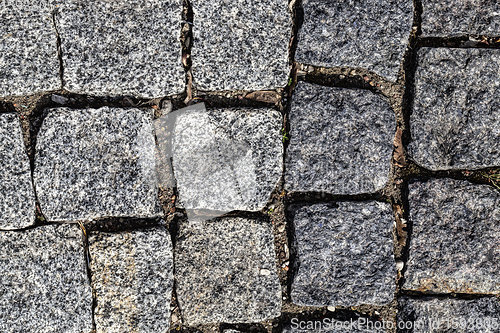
column 240, row 44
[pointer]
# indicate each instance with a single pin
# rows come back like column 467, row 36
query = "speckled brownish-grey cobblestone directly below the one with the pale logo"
column 225, row 271
